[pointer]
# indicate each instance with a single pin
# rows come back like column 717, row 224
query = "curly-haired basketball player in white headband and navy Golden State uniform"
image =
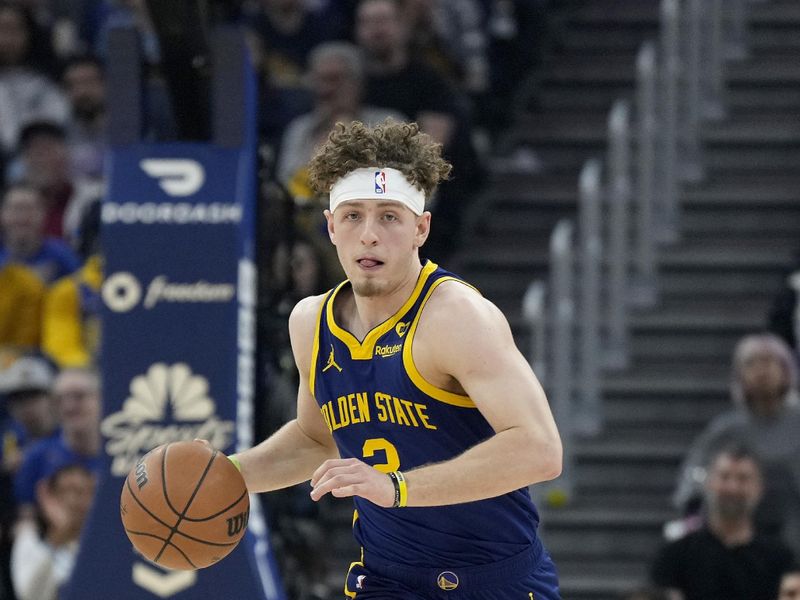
column 413, row 398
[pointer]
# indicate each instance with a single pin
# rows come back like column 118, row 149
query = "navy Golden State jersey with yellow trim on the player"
column 381, row 410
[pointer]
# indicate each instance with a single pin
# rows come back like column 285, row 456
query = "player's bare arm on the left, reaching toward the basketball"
column 294, row 452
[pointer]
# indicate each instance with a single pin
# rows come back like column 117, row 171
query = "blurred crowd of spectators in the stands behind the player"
column 450, row 65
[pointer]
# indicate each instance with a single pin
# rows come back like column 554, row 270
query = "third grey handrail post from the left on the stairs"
column 590, row 416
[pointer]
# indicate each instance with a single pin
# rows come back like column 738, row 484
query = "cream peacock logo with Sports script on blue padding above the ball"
column 167, row 404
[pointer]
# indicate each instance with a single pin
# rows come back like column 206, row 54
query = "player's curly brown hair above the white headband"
column 390, row 144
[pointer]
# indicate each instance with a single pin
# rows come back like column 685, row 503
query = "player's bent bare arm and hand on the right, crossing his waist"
column 464, row 344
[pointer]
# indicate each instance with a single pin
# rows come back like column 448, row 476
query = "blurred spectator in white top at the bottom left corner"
column 42, row 561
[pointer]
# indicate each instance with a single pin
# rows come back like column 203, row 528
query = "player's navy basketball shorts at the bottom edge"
column 530, row 575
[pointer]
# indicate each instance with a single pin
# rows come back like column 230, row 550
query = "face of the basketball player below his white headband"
column 377, row 244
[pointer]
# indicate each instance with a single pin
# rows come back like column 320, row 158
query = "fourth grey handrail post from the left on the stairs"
column 619, row 195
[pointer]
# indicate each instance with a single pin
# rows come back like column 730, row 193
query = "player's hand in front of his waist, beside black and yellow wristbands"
column 344, row 477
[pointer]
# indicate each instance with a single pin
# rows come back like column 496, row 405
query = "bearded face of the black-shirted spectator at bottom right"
column 734, row 486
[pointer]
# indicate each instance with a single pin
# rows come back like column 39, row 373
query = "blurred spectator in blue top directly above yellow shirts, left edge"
column 22, row 217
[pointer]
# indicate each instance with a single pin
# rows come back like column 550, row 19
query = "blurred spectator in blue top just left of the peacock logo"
column 77, row 396
